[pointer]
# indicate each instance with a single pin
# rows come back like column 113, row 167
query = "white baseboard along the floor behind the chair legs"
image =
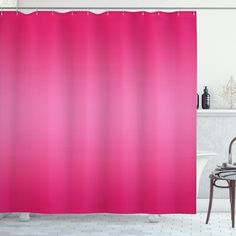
column 218, row 205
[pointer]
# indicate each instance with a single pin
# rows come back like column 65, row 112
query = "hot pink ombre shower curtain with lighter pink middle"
column 98, row 112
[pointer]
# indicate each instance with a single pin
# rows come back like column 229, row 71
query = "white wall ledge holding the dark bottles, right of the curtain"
column 216, row 112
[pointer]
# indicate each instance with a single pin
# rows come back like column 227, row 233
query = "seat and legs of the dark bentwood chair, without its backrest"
column 231, row 179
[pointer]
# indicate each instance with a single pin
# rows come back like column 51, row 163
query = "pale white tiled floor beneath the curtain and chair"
column 117, row 225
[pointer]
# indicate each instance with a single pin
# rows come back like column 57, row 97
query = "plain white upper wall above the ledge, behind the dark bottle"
column 216, row 52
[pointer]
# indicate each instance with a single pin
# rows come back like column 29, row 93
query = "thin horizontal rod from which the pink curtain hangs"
column 118, row 8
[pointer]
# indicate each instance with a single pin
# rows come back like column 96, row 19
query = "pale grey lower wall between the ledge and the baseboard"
column 214, row 133
